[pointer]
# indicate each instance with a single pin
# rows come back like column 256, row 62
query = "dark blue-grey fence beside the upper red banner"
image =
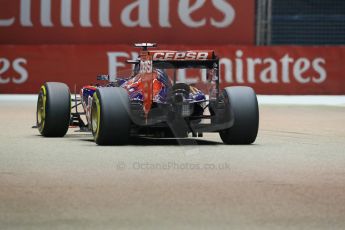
column 301, row 22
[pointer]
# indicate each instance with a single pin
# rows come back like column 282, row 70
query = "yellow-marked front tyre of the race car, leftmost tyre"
column 53, row 109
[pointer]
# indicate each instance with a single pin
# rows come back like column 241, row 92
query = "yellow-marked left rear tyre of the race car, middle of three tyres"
column 110, row 120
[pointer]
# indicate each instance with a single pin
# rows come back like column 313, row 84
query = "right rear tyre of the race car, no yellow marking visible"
column 242, row 104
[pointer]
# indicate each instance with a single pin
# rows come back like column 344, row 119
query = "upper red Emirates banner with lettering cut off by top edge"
column 127, row 21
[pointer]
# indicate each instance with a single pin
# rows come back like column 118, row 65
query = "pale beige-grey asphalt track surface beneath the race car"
column 293, row 177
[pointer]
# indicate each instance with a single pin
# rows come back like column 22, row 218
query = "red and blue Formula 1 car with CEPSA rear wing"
column 152, row 102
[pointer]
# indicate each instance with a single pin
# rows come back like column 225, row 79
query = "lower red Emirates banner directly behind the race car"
column 269, row 70
